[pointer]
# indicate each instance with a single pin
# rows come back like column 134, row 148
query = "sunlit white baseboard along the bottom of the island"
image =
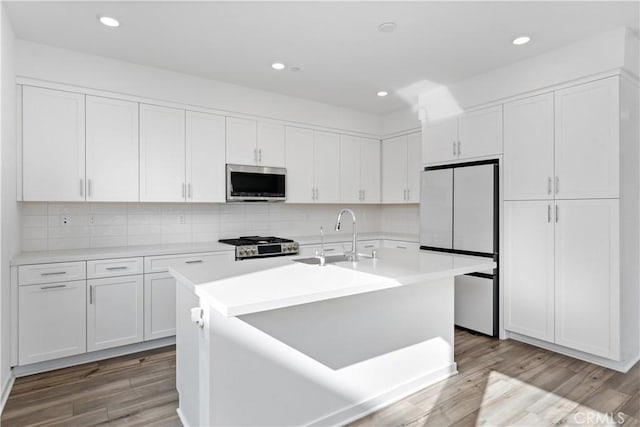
column 366, row 407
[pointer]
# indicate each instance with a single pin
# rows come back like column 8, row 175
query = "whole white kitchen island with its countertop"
column 282, row 343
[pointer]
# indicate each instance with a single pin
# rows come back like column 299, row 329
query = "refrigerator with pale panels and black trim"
column 459, row 214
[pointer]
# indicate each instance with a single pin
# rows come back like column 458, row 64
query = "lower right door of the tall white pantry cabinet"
column 587, row 276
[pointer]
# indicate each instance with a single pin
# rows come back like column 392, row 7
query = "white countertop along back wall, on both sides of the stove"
column 42, row 257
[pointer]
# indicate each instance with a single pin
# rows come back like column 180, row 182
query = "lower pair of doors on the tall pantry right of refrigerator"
column 562, row 266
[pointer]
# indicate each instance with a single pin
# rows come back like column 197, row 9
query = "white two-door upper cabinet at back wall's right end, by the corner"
column 359, row 169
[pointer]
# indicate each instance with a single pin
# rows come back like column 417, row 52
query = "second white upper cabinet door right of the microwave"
column 326, row 151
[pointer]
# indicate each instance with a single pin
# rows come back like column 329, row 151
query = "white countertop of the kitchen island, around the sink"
column 261, row 285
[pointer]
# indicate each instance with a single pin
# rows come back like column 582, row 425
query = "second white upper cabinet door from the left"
column 112, row 150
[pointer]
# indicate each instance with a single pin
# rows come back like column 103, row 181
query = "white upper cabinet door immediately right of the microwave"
column 299, row 161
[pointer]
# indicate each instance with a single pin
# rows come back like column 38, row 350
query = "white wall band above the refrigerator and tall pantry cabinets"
column 607, row 51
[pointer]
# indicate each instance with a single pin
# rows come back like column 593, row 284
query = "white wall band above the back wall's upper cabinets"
column 58, row 65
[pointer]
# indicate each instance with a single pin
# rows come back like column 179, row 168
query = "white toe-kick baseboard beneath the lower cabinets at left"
column 65, row 362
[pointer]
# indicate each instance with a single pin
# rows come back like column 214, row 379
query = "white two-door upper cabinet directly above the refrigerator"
column 476, row 133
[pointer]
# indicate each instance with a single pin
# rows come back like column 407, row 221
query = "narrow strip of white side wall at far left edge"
column 9, row 209
